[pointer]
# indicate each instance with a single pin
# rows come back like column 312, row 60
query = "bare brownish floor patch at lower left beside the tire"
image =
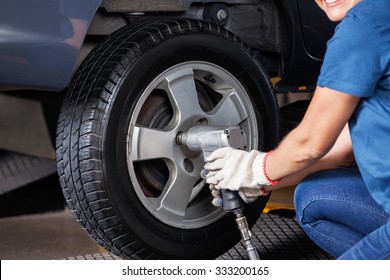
column 54, row 235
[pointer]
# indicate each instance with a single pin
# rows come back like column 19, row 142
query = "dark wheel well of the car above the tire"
column 260, row 24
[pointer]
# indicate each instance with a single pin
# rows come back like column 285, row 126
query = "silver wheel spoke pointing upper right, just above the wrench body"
column 228, row 111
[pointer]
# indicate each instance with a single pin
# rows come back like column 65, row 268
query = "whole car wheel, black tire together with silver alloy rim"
column 129, row 184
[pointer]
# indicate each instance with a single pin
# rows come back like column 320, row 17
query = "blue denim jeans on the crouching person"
column 337, row 212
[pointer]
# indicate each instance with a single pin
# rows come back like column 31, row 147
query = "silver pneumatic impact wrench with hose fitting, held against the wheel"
column 207, row 139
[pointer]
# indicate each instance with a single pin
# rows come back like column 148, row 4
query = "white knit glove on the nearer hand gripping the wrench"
column 235, row 169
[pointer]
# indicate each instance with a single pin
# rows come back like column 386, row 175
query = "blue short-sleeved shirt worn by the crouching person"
column 357, row 62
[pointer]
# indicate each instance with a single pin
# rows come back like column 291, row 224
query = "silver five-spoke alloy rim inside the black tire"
column 165, row 175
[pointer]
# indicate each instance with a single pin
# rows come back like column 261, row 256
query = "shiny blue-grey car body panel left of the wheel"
column 40, row 41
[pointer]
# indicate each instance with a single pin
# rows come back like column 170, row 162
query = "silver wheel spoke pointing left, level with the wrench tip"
column 151, row 144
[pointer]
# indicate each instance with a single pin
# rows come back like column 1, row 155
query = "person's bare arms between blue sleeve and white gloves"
column 299, row 153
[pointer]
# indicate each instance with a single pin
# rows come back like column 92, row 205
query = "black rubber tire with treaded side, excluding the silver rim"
column 91, row 136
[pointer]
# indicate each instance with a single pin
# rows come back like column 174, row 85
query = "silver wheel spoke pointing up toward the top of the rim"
column 182, row 93
